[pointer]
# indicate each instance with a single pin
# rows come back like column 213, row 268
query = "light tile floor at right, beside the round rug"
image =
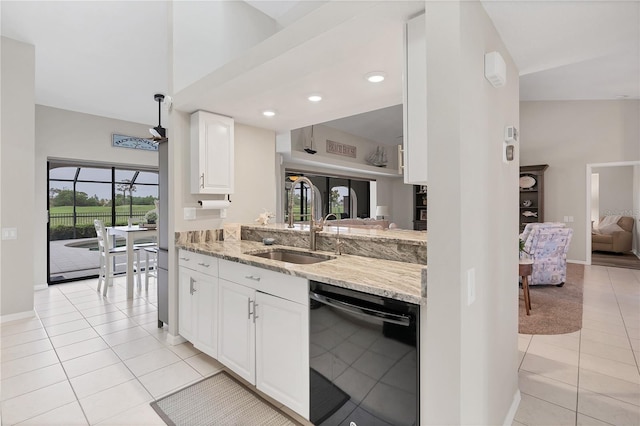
column 590, row 377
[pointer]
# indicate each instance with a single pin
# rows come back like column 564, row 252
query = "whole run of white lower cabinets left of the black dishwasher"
column 252, row 320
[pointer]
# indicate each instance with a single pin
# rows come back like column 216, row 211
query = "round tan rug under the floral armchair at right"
column 554, row 310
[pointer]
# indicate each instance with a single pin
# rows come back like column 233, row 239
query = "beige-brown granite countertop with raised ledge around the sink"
column 387, row 263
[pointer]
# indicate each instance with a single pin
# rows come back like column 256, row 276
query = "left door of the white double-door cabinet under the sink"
column 236, row 330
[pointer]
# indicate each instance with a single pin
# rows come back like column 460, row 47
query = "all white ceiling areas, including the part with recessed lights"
column 109, row 58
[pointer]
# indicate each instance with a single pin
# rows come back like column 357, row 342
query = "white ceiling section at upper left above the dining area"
column 105, row 58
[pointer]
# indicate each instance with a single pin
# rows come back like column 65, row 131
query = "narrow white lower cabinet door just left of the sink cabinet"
column 205, row 299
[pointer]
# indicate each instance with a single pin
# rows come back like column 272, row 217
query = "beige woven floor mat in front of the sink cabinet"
column 218, row 400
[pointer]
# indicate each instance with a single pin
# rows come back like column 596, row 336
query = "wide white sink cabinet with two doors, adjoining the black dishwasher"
column 264, row 331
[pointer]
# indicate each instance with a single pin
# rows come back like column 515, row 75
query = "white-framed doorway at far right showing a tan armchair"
column 613, row 189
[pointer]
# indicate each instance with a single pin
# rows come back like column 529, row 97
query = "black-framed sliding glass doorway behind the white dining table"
column 77, row 195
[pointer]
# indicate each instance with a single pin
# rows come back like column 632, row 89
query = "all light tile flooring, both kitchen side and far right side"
column 93, row 360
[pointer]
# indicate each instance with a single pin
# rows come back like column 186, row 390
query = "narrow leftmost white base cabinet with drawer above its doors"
column 198, row 301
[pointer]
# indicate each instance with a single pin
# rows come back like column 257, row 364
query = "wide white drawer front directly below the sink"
column 275, row 283
